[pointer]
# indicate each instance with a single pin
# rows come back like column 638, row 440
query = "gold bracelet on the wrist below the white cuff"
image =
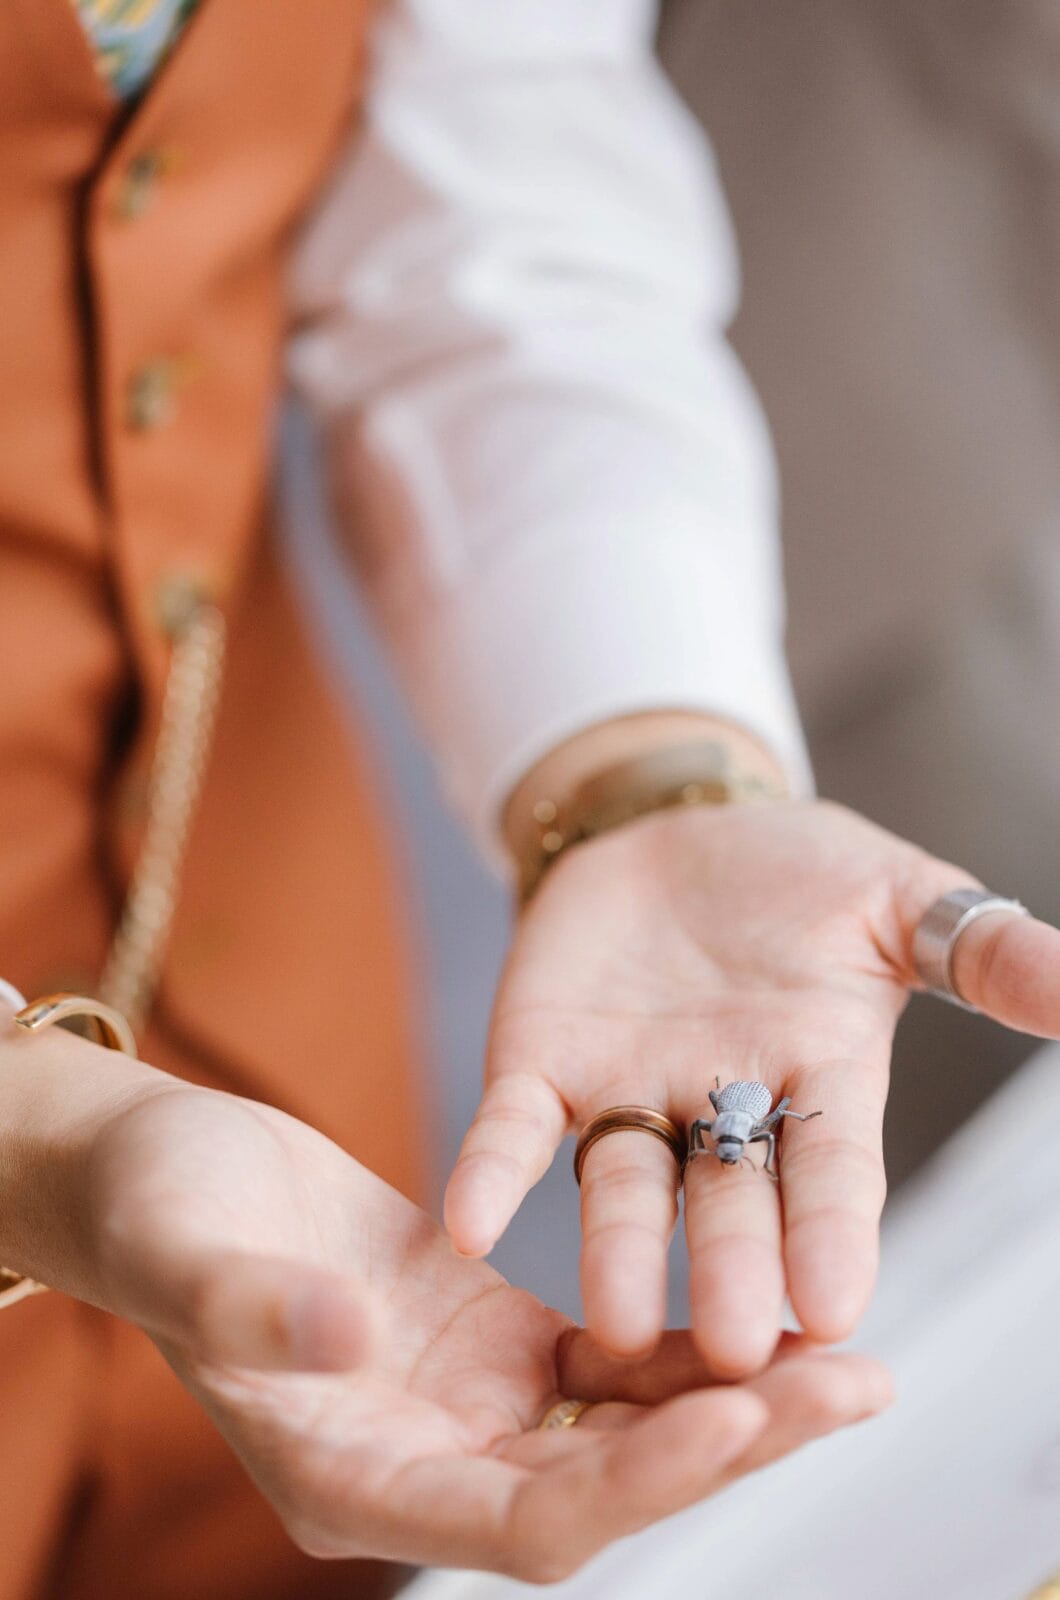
column 696, row 774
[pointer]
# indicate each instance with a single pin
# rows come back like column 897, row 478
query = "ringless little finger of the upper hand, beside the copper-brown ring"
column 507, row 1151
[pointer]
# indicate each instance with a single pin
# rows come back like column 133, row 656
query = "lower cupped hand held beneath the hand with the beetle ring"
column 385, row 1393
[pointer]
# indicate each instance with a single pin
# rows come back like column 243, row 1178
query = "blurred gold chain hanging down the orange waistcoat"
column 177, row 777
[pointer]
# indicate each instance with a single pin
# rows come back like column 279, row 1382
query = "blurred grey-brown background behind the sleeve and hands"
column 894, row 174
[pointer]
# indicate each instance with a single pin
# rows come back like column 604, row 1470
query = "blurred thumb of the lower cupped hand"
column 233, row 1310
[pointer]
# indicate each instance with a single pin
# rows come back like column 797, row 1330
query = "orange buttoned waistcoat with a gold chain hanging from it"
column 142, row 321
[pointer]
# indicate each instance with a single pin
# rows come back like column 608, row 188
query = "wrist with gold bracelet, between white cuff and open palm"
column 627, row 767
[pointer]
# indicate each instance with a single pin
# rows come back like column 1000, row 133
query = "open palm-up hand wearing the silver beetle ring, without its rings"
column 766, row 943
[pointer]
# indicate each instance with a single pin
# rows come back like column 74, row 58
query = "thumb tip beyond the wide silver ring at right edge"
column 1010, row 967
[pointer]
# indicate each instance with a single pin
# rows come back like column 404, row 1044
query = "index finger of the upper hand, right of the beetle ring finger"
column 833, row 1186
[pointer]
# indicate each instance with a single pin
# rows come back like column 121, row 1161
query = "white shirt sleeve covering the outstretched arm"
column 510, row 319
